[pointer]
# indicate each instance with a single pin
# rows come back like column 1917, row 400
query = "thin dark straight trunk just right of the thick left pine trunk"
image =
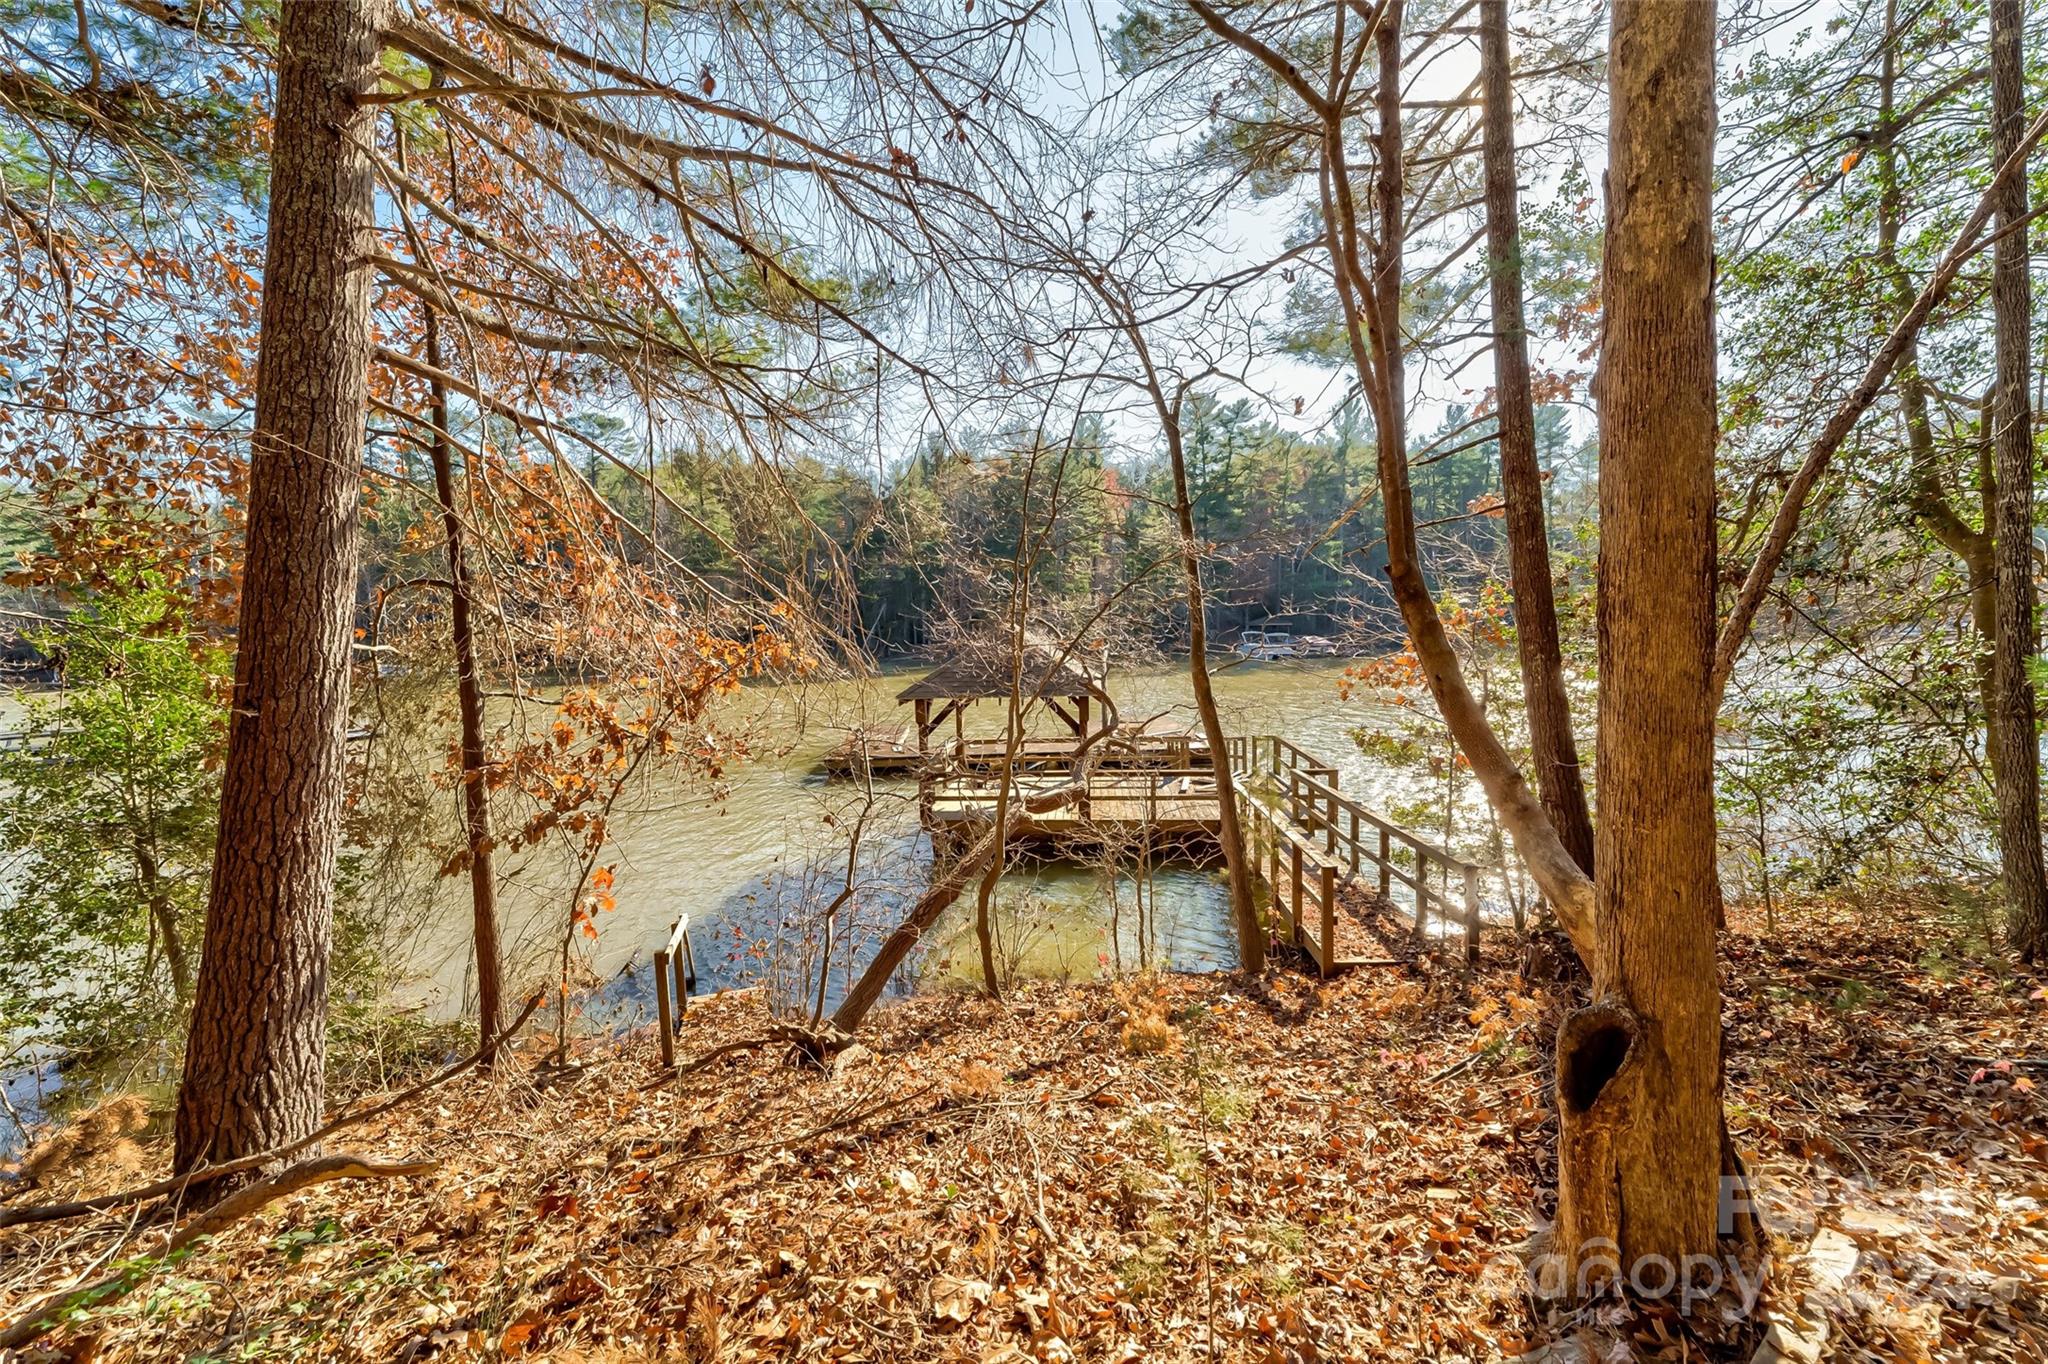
column 470, row 706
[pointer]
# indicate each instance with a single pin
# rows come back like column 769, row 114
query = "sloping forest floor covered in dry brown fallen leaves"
column 1168, row 1168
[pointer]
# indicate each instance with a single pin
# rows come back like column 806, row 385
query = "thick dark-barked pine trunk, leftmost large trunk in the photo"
column 255, row 1064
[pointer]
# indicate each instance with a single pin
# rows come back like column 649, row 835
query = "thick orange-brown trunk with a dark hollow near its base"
column 1639, row 1072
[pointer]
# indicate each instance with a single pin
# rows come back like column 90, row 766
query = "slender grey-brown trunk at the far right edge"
column 2012, row 437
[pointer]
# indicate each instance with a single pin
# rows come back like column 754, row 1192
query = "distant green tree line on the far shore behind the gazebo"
column 1297, row 536
